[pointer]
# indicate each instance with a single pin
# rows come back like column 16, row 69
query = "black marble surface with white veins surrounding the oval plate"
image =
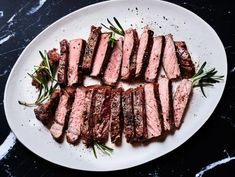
column 214, row 143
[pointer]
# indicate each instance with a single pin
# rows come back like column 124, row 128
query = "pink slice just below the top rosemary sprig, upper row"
column 112, row 71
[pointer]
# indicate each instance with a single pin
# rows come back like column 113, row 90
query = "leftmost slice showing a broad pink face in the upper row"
column 76, row 51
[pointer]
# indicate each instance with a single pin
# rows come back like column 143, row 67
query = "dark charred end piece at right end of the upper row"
column 187, row 67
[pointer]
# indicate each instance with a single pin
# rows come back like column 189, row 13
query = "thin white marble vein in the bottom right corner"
column 215, row 164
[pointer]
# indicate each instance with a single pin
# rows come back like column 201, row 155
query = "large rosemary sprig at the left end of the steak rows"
column 44, row 79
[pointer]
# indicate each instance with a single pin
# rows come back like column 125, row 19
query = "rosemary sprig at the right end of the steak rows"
column 204, row 78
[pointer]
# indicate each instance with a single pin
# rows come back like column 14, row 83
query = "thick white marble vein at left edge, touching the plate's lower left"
column 7, row 145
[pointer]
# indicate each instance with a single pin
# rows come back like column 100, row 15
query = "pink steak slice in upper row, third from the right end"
column 155, row 59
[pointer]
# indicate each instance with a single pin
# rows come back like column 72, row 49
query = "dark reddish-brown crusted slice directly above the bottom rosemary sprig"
column 101, row 127
